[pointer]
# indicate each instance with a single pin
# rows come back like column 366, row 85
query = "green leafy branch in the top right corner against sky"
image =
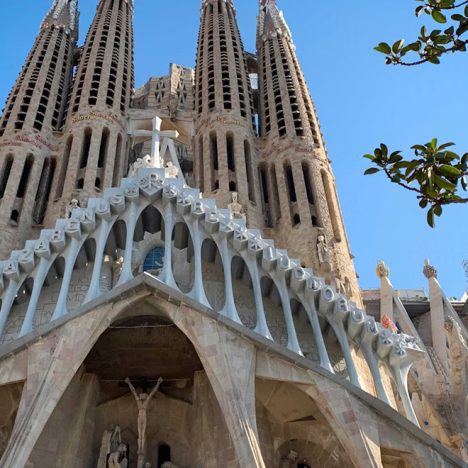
column 431, row 45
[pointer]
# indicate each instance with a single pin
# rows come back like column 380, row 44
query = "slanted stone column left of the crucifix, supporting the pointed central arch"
column 52, row 364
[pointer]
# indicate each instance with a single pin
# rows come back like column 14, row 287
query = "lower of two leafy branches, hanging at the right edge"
column 436, row 174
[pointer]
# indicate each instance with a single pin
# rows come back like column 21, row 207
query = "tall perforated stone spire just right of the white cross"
column 225, row 154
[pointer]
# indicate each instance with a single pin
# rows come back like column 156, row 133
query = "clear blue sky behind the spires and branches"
column 360, row 101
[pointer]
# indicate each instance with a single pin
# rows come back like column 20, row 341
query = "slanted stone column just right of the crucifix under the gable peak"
column 229, row 362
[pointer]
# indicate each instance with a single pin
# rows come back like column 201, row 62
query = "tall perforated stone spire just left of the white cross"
column 93, row 154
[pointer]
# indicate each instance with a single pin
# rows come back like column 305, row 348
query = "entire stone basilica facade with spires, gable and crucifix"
column 176, row 283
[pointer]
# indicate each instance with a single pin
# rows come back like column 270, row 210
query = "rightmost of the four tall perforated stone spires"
column 298, row 187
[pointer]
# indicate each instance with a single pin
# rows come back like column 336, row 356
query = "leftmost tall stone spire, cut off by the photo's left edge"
column 33, row 112
